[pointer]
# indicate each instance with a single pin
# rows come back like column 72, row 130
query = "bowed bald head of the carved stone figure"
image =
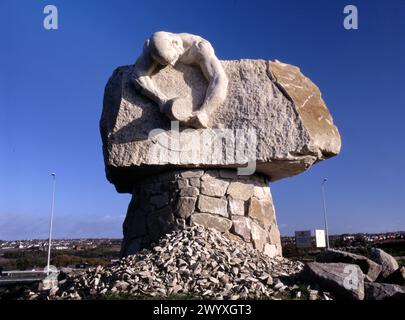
column 166, row 47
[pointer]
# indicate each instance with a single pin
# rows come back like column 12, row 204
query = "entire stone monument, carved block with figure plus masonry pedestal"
column 267, row 118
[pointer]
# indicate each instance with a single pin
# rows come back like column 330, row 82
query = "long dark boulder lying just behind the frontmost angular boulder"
column 369, row 268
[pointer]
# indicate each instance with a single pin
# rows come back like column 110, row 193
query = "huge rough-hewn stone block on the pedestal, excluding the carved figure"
column 293, row 128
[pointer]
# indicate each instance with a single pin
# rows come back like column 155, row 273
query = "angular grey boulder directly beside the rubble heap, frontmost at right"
column 344, row 280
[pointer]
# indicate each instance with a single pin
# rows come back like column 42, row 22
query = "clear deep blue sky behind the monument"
column 51, row 90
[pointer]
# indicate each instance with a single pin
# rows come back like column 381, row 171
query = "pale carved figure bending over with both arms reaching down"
column 165, row 48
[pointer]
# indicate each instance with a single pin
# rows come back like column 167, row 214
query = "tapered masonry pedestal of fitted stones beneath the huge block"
column 238, row 205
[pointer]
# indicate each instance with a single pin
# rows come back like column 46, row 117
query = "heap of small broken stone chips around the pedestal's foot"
column 191, row 263
